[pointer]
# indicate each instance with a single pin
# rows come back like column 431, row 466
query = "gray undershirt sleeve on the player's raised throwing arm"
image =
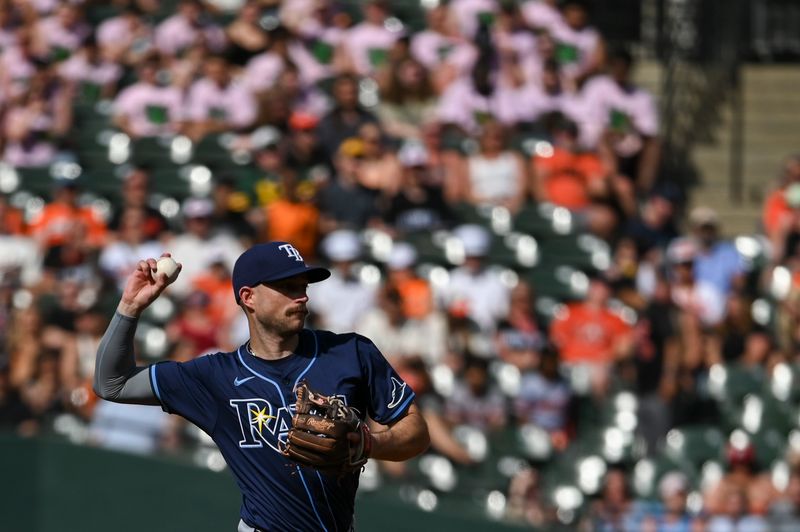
column 117, row 378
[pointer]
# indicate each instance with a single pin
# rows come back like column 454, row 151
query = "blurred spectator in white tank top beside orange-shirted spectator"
column 496, row 175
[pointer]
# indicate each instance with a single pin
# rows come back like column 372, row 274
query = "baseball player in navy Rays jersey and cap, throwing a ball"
column 245, row 400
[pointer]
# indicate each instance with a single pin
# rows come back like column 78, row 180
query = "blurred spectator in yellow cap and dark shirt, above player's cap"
column 344, row 202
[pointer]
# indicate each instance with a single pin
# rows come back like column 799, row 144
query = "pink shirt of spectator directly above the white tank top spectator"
column 462, row 105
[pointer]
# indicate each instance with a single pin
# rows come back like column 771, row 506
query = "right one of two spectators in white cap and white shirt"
column 473, row 287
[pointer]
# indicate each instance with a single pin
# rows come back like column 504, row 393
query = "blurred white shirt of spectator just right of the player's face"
column 340, row 302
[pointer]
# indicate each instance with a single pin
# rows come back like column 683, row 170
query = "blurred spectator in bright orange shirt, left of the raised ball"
column 64, row 217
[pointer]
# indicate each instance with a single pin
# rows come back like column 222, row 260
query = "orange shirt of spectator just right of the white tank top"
column 567, row 177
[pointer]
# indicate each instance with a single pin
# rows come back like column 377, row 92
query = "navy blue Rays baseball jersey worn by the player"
column 246, row 403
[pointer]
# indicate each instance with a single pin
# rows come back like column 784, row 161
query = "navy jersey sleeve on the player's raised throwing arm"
column 183, row 389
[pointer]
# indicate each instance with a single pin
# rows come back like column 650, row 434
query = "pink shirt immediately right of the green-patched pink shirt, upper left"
column 232, row 103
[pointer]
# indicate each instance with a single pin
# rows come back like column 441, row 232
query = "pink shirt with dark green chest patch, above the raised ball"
column 150, row 109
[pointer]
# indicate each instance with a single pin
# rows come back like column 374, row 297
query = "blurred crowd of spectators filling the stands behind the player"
column 368, row 136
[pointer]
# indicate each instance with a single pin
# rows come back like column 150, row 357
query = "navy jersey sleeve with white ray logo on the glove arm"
column 389, row 397
